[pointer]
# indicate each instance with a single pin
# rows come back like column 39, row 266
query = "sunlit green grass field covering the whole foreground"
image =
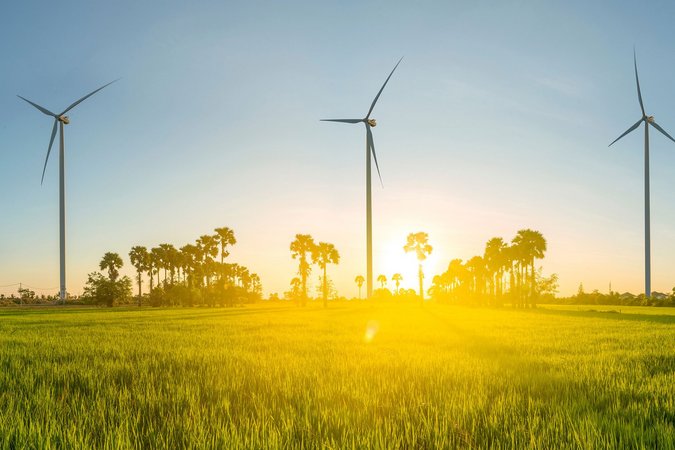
column 351, row 376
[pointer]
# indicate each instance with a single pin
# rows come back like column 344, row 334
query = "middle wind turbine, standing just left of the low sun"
column 370, row 147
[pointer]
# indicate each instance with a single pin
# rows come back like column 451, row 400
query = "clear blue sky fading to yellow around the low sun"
column 498, row 119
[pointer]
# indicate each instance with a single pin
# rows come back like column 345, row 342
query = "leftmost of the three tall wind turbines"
column 60, row 120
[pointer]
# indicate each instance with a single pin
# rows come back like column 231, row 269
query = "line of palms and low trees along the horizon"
column 197, row 274
